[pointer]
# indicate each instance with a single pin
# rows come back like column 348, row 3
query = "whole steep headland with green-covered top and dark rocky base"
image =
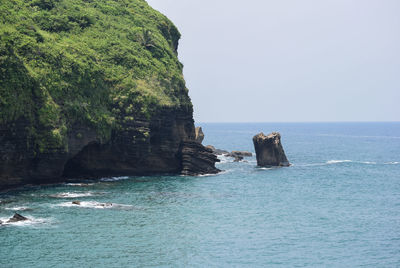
column 92, row 89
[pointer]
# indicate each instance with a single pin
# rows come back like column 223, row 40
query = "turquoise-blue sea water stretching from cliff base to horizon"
column 338, row 205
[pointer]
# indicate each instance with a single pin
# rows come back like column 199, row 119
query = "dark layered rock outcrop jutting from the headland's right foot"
column 197, row 159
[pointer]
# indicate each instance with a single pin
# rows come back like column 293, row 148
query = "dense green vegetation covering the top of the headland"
column 94, row 62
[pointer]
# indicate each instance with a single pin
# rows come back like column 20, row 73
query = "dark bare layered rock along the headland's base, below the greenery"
column 163, row 145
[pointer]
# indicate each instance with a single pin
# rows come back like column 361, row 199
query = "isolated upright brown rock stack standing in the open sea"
column 269, row 150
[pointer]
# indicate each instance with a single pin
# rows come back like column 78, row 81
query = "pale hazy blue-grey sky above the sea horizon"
column 289, row 60
